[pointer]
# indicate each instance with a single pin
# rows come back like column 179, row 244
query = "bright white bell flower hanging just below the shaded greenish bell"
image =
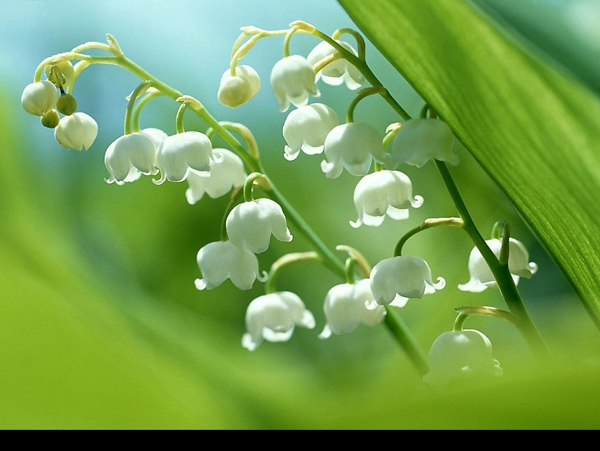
column 383, row 193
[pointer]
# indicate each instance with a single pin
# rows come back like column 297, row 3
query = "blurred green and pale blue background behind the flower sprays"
column 101, row 325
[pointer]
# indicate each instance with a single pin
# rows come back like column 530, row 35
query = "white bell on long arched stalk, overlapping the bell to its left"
column 405, row 276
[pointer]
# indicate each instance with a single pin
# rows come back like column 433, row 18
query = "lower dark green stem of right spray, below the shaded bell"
column 504, row 279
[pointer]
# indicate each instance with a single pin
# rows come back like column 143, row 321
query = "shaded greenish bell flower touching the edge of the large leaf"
column 420, row 140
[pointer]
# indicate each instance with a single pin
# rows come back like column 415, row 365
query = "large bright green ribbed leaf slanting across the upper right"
column 534, row 130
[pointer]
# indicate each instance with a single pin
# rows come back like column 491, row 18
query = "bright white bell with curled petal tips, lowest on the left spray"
column 273, row 316
